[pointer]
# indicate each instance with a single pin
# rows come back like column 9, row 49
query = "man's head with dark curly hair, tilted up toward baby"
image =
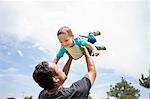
column 48, row 75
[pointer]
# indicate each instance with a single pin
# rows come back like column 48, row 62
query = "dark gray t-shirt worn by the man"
column 78, row 90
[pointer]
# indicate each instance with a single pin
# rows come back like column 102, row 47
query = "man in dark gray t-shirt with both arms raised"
column 51, row 78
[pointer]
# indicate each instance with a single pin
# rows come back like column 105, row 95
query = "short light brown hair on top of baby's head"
column 64, row 30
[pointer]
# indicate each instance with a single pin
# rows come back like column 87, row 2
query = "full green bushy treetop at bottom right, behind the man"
column 123, row 90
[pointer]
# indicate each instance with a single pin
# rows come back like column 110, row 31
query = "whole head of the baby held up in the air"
column 65, row 36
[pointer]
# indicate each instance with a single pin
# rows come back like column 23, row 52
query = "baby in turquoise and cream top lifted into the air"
column 71, row 45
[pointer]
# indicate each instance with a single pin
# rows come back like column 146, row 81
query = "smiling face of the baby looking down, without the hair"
column 65, row 40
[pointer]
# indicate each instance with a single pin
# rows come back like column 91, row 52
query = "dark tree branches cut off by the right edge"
column 145, row 81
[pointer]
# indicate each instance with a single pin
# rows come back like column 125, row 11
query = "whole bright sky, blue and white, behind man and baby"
column 28, row 36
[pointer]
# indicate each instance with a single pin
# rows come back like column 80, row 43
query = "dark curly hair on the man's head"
column 43, row 75
